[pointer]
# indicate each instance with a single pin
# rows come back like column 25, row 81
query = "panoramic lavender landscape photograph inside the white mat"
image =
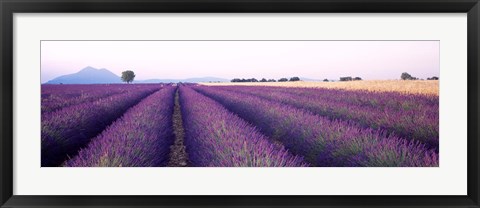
column 265, row 103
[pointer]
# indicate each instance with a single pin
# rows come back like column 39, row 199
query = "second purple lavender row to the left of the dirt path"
column 68, row 129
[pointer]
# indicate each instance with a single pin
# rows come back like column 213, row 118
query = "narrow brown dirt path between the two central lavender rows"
column 178, row 153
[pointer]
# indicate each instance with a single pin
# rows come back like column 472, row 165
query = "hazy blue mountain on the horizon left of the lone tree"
column 88, row 75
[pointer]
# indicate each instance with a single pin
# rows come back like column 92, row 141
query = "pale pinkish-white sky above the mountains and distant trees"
column 370, row 60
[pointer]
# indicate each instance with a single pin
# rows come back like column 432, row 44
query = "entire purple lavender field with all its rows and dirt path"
column 178, row 125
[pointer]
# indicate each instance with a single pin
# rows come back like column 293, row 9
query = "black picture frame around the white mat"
column 9, row 7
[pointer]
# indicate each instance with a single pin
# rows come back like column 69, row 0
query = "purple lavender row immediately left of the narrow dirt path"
column 140, row 138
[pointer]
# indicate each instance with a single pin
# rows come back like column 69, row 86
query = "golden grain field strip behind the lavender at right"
column 429, row 87
